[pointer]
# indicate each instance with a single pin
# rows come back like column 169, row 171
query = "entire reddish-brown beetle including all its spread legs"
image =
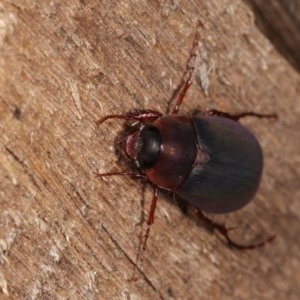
column 210, row 161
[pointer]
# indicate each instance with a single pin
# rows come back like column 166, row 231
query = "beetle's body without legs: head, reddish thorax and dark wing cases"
column 212, row 162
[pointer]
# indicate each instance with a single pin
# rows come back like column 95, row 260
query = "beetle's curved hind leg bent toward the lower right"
column 225, row 232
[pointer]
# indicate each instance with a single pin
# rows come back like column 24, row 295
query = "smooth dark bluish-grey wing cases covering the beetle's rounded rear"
column 230, row 177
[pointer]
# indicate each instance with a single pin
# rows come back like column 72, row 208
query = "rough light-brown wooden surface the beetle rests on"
column 65, row 234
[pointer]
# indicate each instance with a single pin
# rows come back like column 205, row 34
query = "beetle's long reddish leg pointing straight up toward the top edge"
column 187, row 77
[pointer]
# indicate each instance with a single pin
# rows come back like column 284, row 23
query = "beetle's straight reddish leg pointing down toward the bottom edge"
column 143, row 241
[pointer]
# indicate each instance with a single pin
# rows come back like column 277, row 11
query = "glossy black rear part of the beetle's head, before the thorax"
column 149, row 148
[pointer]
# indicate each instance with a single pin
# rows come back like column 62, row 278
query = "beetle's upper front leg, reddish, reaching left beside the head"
column 139, row 115
